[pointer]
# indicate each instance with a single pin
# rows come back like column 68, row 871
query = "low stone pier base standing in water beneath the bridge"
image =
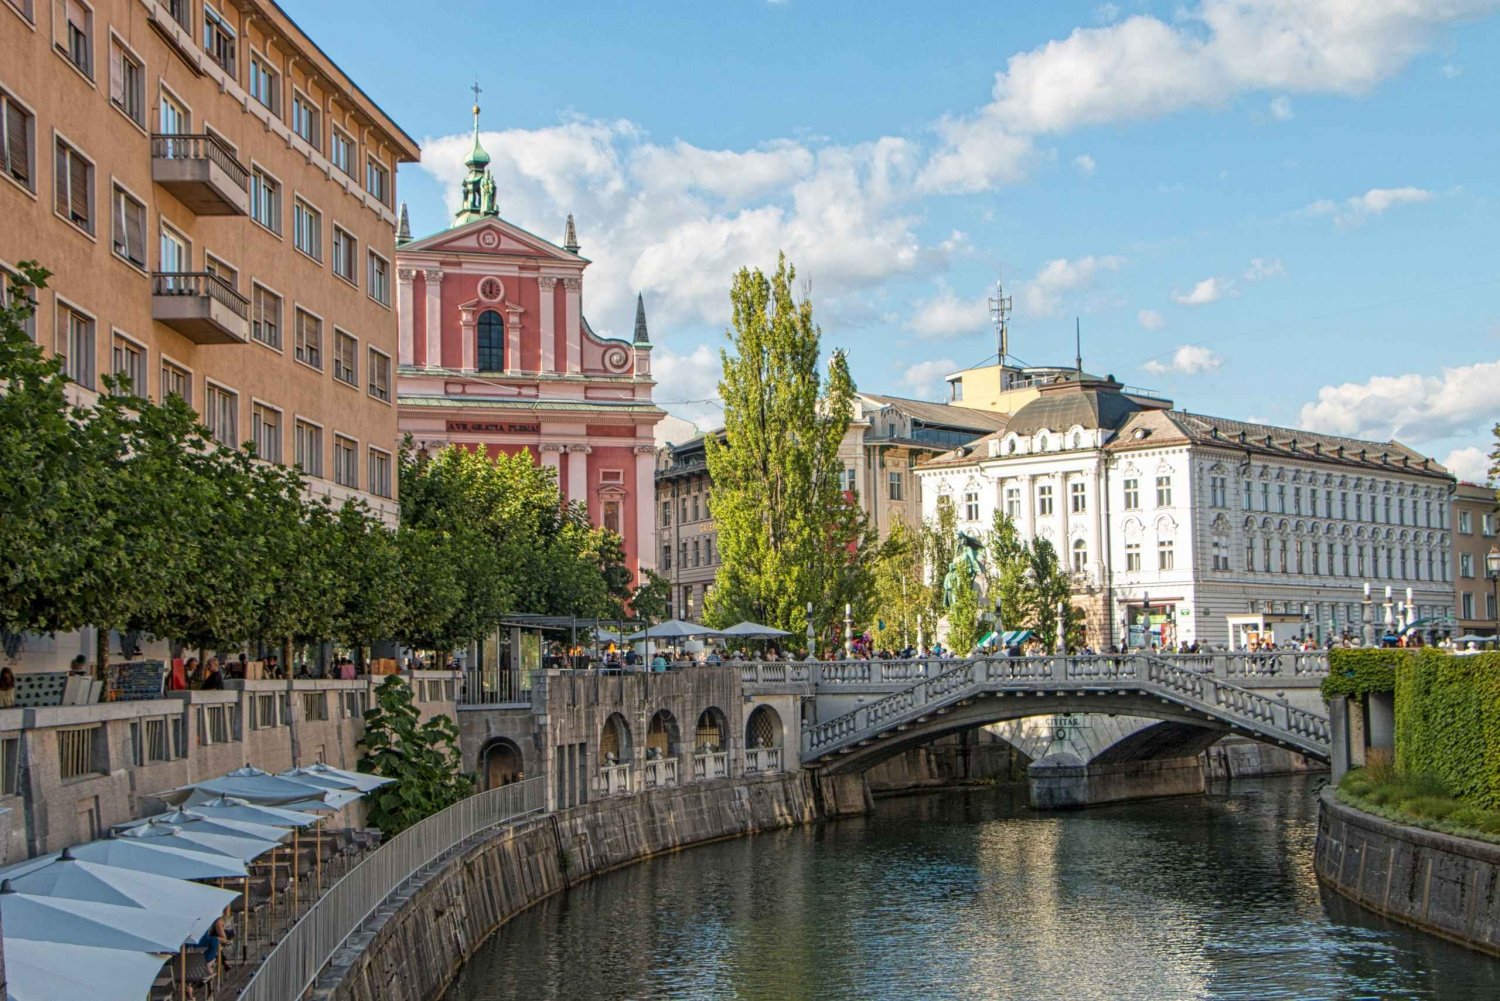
column 1064, row 783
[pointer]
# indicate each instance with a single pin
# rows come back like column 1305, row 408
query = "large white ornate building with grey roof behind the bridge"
column 1190, row 529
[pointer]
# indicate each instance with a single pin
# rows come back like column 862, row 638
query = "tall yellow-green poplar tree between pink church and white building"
column 788, row 535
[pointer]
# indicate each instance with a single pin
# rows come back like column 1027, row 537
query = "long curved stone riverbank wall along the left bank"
column 416, row 945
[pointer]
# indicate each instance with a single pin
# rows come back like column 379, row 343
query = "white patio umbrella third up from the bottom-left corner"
column 68, row 877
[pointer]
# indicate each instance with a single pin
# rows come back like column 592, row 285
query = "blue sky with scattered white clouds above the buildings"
column 1277, row 211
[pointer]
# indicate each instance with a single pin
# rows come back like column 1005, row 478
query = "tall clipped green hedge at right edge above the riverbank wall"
column 1448, row 721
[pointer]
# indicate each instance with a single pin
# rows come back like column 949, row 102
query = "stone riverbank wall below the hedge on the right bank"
column 1442, row 885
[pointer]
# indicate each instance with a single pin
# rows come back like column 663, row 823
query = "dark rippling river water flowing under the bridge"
column 971, row 895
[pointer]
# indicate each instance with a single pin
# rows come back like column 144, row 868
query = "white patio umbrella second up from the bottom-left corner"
column 91, row 924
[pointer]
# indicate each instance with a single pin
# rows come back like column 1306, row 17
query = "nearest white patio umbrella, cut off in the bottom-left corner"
column 47, row 972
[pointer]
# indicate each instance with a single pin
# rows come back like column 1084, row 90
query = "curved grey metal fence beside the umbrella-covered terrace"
column 299, row 958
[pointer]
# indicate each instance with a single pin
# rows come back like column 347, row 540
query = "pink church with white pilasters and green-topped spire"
column 497, row 355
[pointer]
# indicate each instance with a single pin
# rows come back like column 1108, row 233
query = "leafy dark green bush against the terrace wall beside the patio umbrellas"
column 422, row 759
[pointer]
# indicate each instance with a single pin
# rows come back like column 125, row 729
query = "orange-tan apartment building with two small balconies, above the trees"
column 215, row 200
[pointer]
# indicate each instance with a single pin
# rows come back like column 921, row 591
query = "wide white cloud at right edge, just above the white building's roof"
column 1412, row 407
